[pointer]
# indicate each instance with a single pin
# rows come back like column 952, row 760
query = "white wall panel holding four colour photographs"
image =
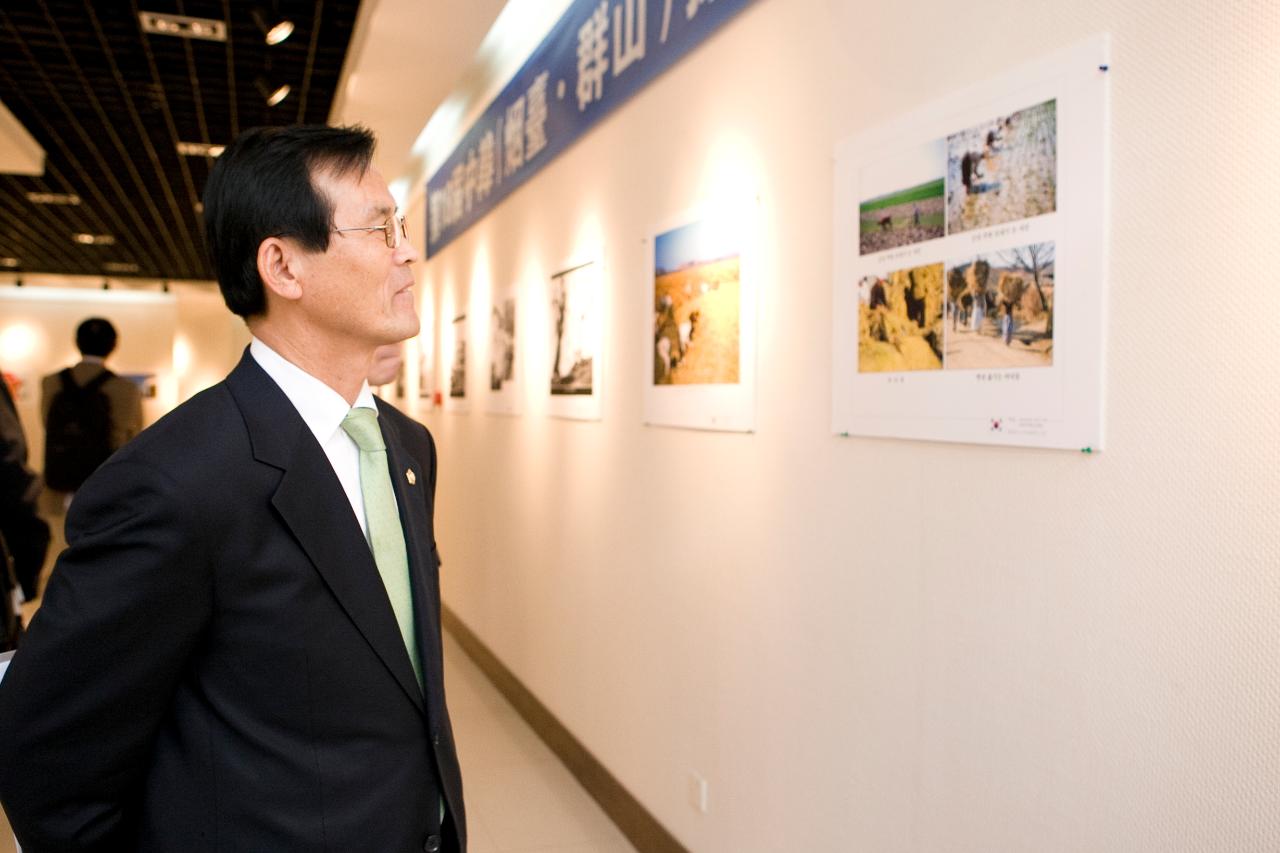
column 971, row 256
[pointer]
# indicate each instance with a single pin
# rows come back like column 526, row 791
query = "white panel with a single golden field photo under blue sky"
column 701, row 330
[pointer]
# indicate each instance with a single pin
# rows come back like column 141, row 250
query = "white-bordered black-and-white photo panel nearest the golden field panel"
column 577, row 321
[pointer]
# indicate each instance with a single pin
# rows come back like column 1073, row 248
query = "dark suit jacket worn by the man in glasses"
column 217, row 665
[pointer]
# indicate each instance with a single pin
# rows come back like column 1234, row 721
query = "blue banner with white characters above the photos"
column 598, row 54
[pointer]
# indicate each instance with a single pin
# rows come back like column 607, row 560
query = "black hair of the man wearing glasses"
column 262, row 186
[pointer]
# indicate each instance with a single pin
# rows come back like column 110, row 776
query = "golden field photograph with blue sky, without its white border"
column 697, row 295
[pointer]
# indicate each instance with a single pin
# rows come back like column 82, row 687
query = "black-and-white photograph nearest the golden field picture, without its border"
column 574, row 331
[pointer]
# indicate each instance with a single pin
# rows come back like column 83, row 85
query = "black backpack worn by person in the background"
column 79, row 432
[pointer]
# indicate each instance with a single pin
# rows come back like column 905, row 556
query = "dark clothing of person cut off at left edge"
column 26, row 533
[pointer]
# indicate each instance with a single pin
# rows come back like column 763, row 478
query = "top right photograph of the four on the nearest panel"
column 1003, row 170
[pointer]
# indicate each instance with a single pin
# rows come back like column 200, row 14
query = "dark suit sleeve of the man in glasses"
column 92, row 682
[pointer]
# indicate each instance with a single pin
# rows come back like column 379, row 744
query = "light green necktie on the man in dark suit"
column 386, row 536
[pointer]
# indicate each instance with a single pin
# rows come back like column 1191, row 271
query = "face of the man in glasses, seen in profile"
column 360, row 291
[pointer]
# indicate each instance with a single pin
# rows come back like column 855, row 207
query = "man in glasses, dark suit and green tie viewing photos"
column 223, row 660
